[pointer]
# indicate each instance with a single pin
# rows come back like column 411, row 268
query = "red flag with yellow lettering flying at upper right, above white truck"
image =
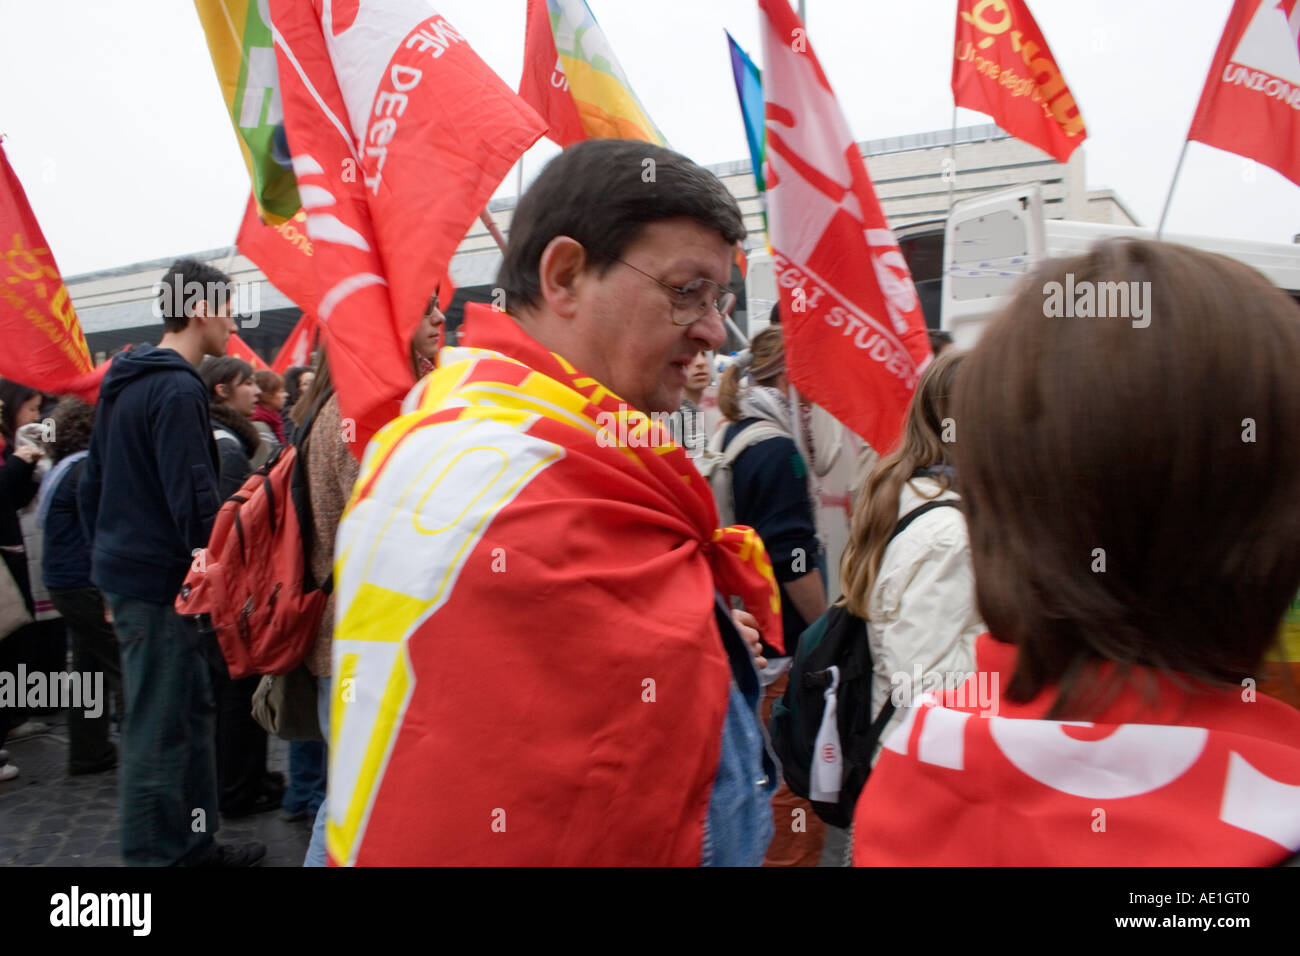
column 1003, row 67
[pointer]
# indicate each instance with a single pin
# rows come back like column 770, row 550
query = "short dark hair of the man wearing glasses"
column 604, row 193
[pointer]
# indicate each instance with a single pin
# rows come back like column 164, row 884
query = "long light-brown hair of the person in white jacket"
column 925, row 445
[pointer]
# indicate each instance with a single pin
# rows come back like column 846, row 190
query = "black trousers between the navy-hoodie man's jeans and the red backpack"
column 241, row 743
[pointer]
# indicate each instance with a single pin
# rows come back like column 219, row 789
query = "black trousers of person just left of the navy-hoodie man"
column 94, row 651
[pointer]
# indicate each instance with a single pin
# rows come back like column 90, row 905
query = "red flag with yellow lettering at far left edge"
column 44, row 343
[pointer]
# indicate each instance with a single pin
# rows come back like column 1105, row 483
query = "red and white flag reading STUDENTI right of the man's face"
column 856, row 340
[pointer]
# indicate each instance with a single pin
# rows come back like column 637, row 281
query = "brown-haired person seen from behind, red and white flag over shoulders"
column 1134, row 526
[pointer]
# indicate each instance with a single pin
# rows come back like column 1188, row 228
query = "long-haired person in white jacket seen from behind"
column 916, row 590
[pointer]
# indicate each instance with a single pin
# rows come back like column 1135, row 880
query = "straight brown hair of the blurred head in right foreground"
column 1130, row 481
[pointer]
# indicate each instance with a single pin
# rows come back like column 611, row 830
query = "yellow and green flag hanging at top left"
column 245, row 59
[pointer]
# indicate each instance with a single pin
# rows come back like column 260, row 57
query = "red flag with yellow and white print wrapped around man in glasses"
column 527, row 667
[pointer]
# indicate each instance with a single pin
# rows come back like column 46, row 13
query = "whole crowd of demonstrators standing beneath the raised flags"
column 1068, row 576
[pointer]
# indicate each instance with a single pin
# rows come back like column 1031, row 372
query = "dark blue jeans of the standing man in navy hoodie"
column 168, row 767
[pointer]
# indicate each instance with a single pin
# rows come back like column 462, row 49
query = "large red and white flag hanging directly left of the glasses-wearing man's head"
column 400, row 136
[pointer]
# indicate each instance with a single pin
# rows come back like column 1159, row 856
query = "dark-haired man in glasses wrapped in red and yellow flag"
column 535, row 659
